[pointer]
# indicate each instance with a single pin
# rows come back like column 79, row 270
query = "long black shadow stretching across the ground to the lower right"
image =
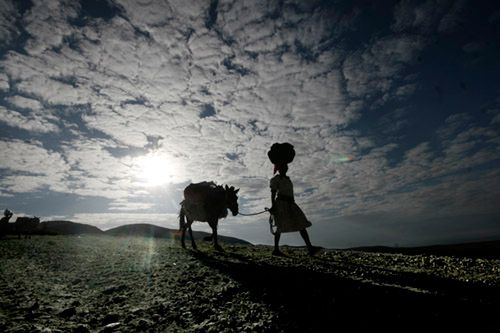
column 310, row 301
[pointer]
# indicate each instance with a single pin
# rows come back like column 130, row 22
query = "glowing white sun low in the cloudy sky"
column 154, row 169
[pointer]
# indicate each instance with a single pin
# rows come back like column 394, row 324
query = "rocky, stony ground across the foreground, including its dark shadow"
column 119, row 284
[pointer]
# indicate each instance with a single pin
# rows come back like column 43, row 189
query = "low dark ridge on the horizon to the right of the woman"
column 486, row 249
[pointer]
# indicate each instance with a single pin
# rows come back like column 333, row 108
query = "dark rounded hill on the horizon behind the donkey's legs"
column 150, row 230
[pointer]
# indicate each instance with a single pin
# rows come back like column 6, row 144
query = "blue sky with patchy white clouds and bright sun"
column 109, row 109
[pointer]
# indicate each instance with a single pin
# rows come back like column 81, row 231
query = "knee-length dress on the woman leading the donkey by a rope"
column 287, row 214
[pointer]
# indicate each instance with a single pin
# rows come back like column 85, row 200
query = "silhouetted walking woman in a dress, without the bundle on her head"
column 287, row 214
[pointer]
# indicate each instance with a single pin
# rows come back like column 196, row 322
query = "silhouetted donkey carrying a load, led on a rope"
column 206, row 202
